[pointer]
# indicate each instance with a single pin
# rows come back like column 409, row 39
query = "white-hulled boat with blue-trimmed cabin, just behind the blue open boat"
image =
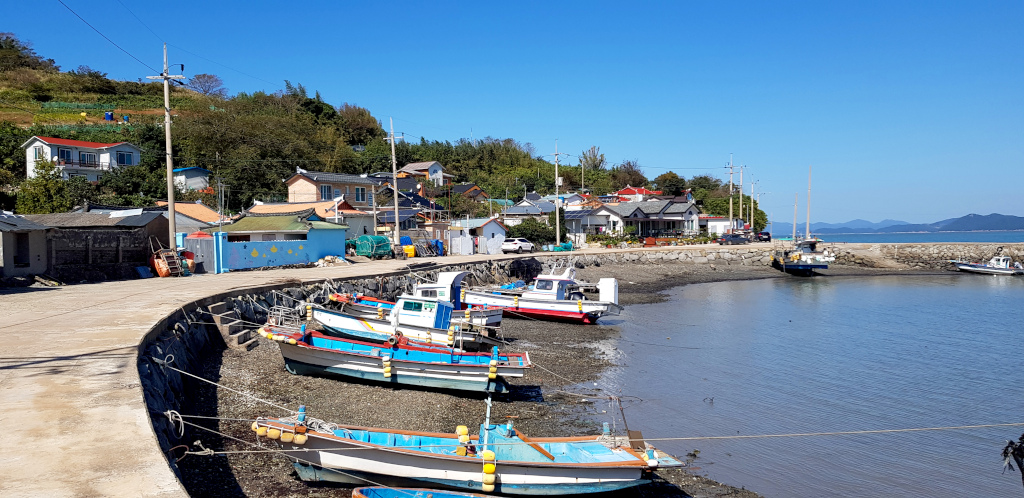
column 380, row 328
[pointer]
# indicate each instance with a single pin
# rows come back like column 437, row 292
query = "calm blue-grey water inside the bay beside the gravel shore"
column 793, row 355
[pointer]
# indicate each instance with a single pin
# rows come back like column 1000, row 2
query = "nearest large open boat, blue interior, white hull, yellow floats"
column 498, row 460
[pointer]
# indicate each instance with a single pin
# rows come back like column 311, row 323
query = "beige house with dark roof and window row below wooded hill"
column 314, row 186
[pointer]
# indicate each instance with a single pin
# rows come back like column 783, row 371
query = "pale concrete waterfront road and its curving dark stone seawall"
column 83, row 365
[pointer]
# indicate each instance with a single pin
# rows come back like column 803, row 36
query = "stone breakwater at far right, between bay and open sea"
column 922, row 257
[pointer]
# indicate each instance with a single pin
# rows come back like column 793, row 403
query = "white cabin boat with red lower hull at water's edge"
column 556, row 298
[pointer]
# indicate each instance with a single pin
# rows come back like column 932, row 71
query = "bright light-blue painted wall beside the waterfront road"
column 242, row 256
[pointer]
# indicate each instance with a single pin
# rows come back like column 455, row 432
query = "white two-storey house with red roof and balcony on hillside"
column 78, row 158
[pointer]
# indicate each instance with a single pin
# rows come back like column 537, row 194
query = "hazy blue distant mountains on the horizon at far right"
column 971, row 223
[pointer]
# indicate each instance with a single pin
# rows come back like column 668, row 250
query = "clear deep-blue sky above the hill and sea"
column 912, row 111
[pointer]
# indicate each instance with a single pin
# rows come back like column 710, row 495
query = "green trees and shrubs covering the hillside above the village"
column 253, row 142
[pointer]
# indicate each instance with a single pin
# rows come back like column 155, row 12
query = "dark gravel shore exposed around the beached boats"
column 547, row 402
